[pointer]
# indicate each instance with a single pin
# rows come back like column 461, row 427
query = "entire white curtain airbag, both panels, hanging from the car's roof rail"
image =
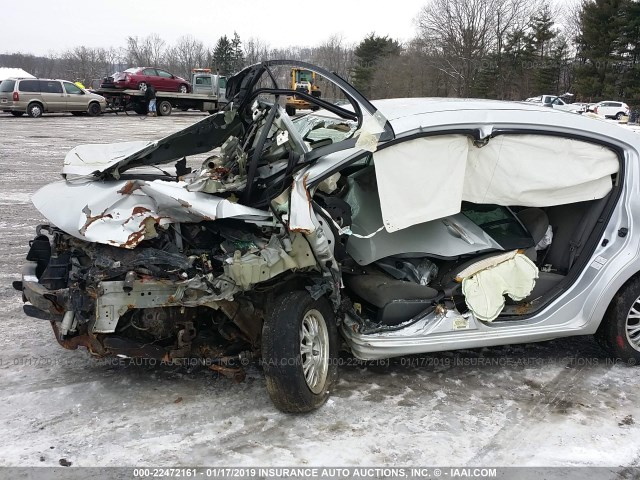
column 428, row 178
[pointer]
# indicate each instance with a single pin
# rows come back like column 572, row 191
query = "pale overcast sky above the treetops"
column 43, row 26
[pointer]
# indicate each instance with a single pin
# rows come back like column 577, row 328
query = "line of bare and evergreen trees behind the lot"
column 503, row 49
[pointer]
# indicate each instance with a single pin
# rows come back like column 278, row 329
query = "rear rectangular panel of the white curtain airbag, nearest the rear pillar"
column 538, row 171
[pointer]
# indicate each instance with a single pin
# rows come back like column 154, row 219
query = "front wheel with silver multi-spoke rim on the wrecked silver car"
column 300, row 333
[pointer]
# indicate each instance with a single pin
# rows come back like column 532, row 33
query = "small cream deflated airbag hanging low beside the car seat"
column 484, row 291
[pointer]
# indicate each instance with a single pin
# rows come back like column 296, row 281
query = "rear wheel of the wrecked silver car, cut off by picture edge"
column 619, row 332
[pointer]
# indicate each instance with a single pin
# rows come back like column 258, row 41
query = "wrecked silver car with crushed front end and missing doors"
column 397, row 227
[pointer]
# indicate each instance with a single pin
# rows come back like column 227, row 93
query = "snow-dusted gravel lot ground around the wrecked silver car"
column 551, row 404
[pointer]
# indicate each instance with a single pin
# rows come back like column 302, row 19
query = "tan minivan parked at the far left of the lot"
column 38, row 96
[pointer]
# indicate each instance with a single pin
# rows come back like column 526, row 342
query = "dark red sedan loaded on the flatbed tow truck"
column 140, row 77
